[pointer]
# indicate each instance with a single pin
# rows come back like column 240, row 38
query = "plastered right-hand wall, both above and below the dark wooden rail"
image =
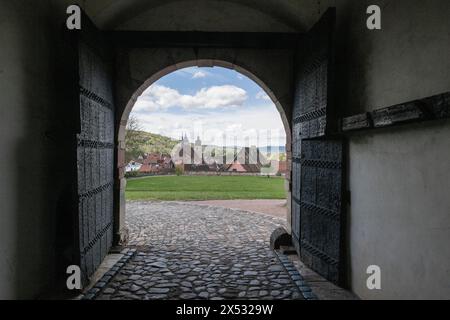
column 400, row 178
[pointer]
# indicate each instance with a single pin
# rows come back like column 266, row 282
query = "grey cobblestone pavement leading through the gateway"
column 187, row 251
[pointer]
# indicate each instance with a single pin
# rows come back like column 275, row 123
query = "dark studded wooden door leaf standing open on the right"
column 317, row 183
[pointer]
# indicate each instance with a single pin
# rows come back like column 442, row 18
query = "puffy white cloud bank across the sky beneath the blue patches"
column 158, row 97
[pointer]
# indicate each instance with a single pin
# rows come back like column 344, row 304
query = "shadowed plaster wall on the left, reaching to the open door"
column 36, row 132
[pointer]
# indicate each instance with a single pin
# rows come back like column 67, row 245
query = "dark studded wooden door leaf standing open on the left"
column 95, row 148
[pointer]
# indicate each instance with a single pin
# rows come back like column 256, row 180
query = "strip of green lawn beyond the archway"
column 205, row 188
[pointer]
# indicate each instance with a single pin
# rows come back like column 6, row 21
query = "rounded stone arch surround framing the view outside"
column 124, row 115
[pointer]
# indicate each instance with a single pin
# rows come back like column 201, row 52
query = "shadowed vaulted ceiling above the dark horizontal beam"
column 207, row 15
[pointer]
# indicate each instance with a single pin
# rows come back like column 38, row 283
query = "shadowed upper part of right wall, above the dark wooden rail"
column 408, row 59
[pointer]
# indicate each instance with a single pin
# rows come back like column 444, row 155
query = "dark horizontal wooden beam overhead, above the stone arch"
column 195, row 39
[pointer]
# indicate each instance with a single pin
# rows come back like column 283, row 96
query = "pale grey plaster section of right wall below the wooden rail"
column 400, row 211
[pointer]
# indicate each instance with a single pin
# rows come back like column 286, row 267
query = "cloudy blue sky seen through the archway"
column 210, row 103
